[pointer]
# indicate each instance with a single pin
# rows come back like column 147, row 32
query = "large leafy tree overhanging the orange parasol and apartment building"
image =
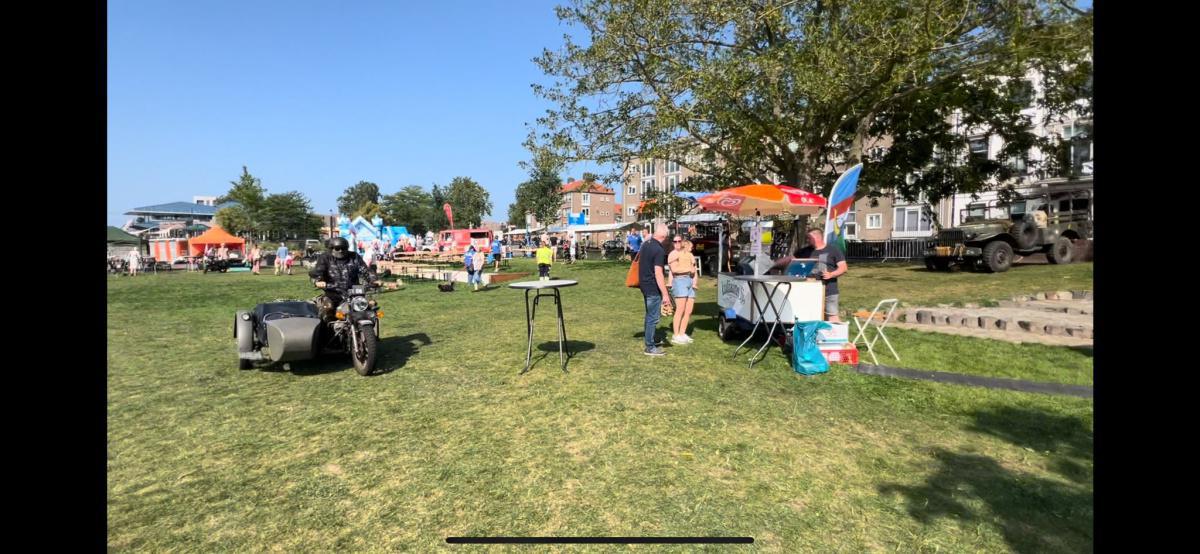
column 745, row 92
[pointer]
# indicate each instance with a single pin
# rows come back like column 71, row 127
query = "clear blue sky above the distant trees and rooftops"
column 315, row 97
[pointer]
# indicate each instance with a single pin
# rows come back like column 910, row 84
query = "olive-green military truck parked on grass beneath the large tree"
column 992, row 234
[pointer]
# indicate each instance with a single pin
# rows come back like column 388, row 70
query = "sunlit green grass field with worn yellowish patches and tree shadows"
column 451, row 441
